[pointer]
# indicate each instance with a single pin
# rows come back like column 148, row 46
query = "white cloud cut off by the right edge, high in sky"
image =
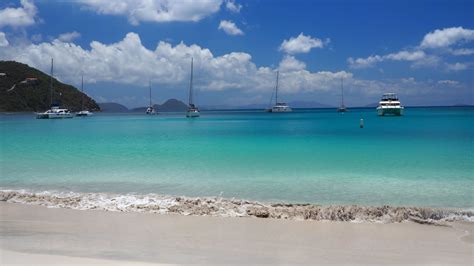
column 447, row 37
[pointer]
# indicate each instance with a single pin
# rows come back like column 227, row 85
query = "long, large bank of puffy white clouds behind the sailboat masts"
column 129, row 62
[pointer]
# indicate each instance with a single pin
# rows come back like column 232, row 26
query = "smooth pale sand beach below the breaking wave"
column 34, row 235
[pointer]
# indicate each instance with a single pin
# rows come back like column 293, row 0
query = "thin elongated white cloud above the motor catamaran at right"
column 374, row 59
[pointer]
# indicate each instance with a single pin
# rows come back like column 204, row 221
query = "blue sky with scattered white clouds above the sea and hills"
column 423, row 50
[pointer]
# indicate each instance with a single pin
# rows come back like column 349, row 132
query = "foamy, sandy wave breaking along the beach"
column 216, row 206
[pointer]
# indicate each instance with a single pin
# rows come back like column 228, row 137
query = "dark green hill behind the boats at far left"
column 25, row 89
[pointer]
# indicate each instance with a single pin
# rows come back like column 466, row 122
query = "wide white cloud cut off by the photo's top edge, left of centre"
column 155, row 10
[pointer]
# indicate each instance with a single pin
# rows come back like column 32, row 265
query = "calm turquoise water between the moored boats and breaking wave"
column 425, row 158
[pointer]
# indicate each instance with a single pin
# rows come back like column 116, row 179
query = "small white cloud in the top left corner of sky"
column 19, row 17
